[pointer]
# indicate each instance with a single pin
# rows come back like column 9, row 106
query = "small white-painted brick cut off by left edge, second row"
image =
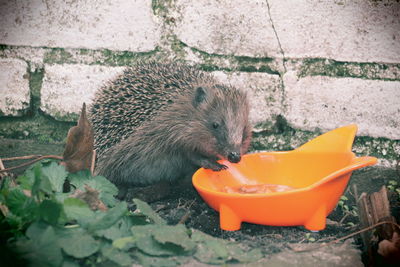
column 14, row 87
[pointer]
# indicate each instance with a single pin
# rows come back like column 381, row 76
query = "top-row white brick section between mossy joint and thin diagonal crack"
column 236, row 27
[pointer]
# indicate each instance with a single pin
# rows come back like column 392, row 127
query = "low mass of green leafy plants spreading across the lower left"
column 56, row 218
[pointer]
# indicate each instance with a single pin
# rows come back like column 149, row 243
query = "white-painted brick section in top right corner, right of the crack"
column 355, row 30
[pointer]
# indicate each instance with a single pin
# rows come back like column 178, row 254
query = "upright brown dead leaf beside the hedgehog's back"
column 78, row 151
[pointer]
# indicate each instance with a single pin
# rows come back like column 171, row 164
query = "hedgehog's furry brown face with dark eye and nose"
column 225, row 116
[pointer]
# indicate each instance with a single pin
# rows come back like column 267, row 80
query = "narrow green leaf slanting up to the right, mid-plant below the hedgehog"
column 108, row 218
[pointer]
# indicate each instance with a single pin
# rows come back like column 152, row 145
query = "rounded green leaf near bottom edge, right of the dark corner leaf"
column 78, row 243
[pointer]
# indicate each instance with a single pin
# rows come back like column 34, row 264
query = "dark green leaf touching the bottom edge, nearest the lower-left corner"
column 41, row 249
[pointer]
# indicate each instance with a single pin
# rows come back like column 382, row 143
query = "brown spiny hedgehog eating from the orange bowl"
column 162, row 121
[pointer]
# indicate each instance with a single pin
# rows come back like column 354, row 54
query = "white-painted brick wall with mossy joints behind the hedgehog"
column 313, row 65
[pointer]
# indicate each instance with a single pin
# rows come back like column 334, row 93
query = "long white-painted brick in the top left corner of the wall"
column 110, row 24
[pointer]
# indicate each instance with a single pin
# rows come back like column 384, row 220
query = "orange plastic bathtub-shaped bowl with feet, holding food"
column 317, row 172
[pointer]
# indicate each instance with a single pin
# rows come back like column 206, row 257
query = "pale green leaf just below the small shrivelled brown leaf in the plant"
column 78, row 210
